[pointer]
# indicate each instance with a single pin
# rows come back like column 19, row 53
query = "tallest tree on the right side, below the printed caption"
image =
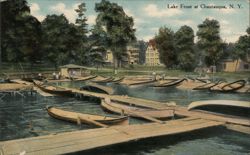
column 209, row 41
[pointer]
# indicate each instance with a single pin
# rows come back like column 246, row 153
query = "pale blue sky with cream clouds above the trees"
column 150, row 15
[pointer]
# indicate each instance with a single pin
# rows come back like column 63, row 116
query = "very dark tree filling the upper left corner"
column 20, row 32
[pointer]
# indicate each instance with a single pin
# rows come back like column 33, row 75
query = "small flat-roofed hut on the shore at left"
column 72, row 70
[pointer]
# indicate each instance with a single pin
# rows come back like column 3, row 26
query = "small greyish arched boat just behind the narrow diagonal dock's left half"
column 97, row 88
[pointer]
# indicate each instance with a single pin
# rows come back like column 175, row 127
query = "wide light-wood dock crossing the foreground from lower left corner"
column 94, row 138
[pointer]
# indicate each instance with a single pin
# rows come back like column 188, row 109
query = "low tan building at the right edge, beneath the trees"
column 230, row 65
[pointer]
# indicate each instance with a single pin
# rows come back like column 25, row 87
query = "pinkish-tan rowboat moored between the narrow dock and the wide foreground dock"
column 136, row 111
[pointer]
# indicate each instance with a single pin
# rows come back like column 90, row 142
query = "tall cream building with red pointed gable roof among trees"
column 152, row 54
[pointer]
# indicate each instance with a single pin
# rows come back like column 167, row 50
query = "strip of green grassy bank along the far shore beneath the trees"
column 10, row 68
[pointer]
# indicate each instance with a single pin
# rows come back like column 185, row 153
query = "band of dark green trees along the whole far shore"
column 55, row 41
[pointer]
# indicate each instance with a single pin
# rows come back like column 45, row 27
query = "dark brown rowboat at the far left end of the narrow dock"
column 52, row 89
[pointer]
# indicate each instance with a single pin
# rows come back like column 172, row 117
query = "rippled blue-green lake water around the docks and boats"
column 27, row 117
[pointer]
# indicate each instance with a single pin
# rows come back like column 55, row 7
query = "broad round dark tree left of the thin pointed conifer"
column 61, row 40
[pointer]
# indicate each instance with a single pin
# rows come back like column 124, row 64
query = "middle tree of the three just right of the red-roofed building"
column 184, row 43
